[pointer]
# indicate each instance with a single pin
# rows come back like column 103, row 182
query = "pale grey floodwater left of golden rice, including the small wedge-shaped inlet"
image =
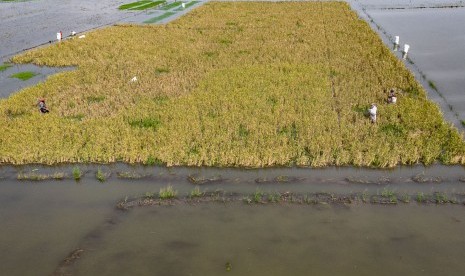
column 30, row 24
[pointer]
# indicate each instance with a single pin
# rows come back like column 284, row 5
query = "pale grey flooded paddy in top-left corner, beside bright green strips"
column 27, row 24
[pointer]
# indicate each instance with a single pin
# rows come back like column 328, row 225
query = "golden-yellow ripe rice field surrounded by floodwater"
column 229, row 84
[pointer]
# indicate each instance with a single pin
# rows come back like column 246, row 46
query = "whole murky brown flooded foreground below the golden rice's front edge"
column 66, row 227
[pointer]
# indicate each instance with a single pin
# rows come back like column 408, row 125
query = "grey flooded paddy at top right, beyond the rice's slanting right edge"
column 433, row 31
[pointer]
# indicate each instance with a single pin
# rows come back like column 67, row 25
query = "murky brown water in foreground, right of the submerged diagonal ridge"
column 282, row 240
